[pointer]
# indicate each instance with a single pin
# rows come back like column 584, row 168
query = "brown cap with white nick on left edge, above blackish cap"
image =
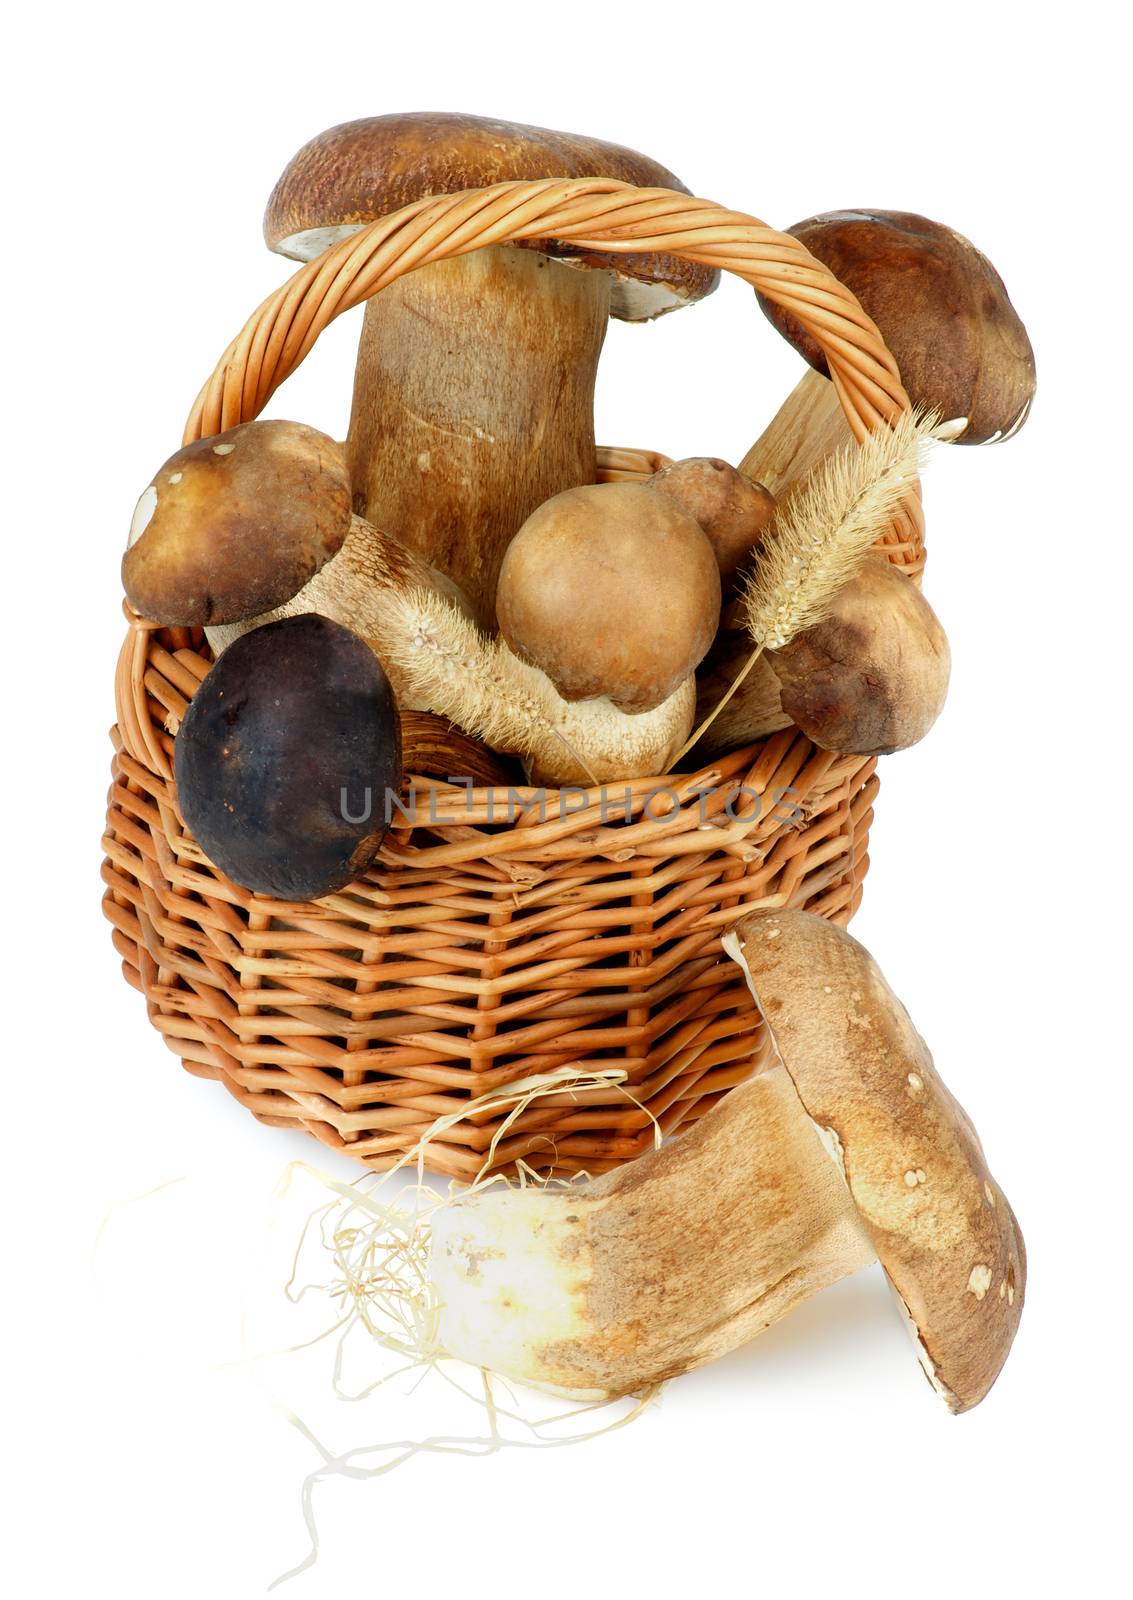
column 238, row 524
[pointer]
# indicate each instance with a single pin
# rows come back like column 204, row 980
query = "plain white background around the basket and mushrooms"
column 145, row 1458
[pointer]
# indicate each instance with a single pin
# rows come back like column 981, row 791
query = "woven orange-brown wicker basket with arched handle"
column 481, row 951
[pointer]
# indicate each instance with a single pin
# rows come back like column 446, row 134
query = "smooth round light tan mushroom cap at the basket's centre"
column 612, row 591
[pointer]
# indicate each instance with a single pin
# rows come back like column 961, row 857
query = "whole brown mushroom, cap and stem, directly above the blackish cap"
column 255, row 524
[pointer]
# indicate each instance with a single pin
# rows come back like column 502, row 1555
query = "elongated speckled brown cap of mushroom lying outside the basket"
column 913, row 1162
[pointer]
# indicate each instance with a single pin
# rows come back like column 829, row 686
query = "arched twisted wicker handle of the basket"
column 591, row 214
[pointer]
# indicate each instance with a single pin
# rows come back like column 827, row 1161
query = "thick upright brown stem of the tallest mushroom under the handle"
column 474, row 404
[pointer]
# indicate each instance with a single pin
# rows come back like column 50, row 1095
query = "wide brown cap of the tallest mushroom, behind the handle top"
column 362, row 170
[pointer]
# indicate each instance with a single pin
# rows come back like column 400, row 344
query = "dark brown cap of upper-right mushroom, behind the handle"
column 942, row 308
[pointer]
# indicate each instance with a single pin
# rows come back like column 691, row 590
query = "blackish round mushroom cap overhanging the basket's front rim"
column 286, row 758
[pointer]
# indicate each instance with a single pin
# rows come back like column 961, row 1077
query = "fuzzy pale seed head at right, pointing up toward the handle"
column 830, row 526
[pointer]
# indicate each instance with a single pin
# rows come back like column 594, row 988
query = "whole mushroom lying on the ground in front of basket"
column 849, row 1150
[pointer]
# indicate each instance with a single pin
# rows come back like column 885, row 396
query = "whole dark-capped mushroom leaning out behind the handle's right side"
column 945, row 316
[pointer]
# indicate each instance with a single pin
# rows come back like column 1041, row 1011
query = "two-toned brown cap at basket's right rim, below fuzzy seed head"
column 873, row 676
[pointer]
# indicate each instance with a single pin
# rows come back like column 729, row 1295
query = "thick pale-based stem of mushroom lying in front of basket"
column 655, row 1268
